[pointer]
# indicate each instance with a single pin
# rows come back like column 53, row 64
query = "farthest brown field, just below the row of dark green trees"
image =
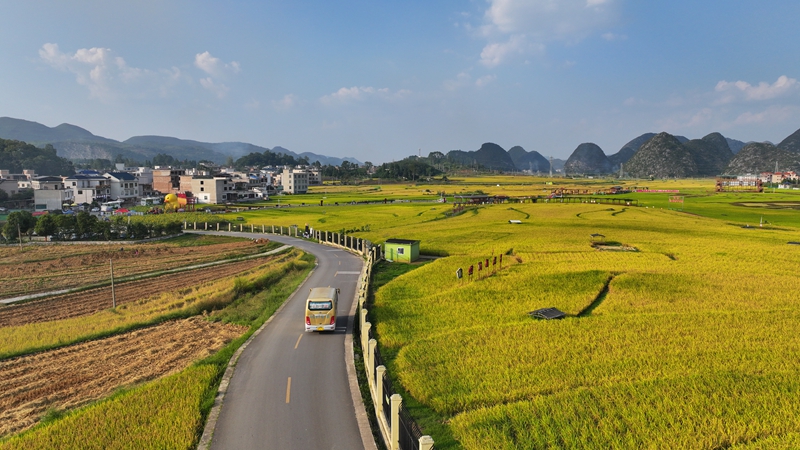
column 54, row 267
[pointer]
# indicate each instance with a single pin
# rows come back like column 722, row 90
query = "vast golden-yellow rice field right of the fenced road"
column 691, row 341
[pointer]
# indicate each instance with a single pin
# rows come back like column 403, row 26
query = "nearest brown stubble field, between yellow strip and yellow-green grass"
column 75, row 375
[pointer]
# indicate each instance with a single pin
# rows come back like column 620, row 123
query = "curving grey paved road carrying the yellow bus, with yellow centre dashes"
column 290, row 389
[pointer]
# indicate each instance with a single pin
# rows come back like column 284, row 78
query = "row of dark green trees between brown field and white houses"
column 82, row 226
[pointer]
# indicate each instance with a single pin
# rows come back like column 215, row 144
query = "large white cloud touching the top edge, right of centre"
column 525, row 26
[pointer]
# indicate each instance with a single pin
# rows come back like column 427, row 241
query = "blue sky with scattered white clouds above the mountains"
column 380, row 80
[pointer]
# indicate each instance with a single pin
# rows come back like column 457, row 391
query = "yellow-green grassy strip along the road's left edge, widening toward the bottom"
column 171, row 412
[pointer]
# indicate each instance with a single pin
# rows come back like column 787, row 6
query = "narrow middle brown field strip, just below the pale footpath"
column 90, row 301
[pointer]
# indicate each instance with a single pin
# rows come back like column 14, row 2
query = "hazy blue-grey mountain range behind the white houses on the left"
column 76, row 143
